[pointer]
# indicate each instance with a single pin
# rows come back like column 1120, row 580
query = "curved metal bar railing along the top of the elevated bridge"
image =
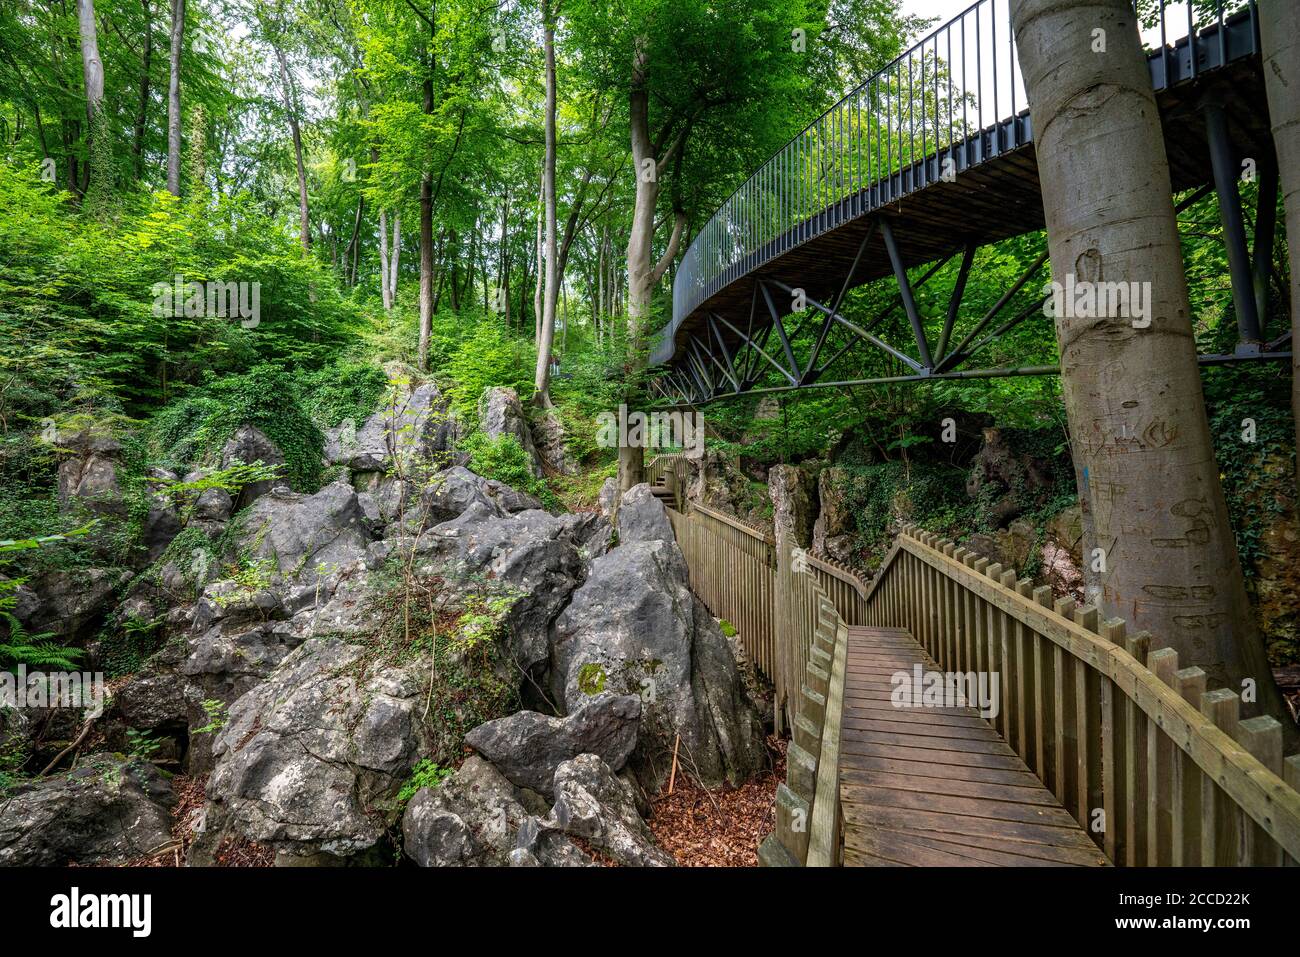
column 950, row 103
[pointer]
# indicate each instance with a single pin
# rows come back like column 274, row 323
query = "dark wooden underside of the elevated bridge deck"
column 996, row 200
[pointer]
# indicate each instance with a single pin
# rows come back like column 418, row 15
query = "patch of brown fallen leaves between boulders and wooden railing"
column 722, row 828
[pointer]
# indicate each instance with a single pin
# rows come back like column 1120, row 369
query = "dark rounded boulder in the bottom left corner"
column 107, row 811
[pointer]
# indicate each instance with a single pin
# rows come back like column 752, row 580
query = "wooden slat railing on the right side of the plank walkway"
column 1155, row 768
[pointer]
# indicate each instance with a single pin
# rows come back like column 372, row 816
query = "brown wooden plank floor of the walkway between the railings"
column 939, row 786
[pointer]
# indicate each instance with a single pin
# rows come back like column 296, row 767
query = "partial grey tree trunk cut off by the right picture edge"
column 1280, row 32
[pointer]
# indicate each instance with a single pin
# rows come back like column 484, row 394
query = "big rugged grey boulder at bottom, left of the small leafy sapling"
column 309, row 757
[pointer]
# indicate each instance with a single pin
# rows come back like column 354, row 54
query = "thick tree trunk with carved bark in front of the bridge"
column 1142, row 443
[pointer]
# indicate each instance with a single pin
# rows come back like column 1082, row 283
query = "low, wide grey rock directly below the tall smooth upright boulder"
column 528, row 747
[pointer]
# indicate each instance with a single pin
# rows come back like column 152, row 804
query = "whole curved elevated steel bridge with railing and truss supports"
column 926, row 162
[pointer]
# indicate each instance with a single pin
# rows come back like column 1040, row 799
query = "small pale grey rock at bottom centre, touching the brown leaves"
column 593, row 804
